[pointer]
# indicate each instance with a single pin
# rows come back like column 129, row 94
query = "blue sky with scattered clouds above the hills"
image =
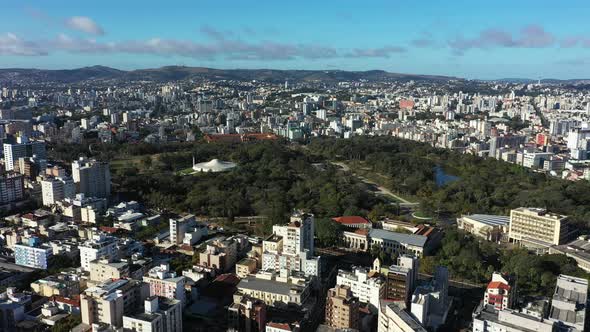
column 472, row 39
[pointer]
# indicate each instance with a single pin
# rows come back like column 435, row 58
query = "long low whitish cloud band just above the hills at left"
column 223, row 48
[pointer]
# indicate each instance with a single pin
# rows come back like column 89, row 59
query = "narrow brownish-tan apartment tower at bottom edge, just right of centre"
column 342, row 309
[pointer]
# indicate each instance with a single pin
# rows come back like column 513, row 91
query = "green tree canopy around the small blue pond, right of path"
column 483, row 185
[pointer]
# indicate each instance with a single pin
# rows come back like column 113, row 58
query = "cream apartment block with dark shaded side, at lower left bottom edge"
column 108, row 302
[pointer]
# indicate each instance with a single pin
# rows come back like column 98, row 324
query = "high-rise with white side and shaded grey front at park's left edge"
column 92, row 177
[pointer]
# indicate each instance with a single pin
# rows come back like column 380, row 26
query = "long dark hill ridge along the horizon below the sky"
column 174, row 73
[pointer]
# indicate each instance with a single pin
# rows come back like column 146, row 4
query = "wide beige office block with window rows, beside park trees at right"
column 538, row 224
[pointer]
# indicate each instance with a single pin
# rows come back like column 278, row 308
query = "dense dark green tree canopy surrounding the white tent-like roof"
column 271, row 179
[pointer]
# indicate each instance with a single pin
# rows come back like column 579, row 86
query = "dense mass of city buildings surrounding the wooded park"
column 275, row 284
